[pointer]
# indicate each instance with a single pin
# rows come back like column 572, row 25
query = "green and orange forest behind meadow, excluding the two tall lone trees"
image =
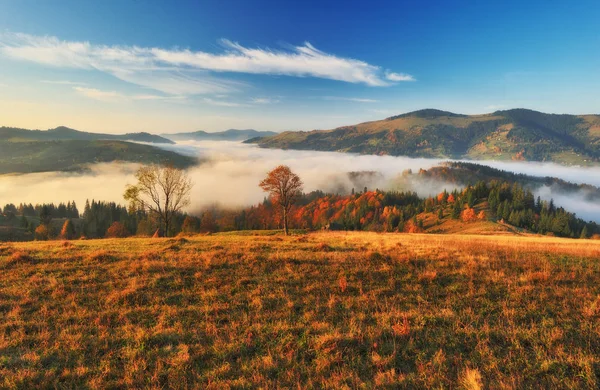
column 367, row 210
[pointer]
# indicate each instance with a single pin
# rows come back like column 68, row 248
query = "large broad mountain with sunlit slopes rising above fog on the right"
column 517, row 134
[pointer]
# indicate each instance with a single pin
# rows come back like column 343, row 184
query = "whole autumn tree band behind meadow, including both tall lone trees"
column 156, row 203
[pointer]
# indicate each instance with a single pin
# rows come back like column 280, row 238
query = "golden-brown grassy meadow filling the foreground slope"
column 333, row 310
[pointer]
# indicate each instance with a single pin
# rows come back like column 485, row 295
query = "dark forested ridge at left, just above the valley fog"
column 26, row 156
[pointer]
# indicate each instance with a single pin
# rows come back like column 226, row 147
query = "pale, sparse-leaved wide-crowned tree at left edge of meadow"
column 162, row 191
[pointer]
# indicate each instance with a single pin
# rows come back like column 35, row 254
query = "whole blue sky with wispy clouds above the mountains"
column 173, row 66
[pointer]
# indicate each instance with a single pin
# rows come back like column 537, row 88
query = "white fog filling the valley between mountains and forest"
column 230, row 172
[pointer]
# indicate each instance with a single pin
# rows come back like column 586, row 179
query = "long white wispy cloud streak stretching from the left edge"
column 188, row 72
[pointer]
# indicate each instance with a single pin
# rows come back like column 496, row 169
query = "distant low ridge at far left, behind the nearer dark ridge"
column 62, row 133
